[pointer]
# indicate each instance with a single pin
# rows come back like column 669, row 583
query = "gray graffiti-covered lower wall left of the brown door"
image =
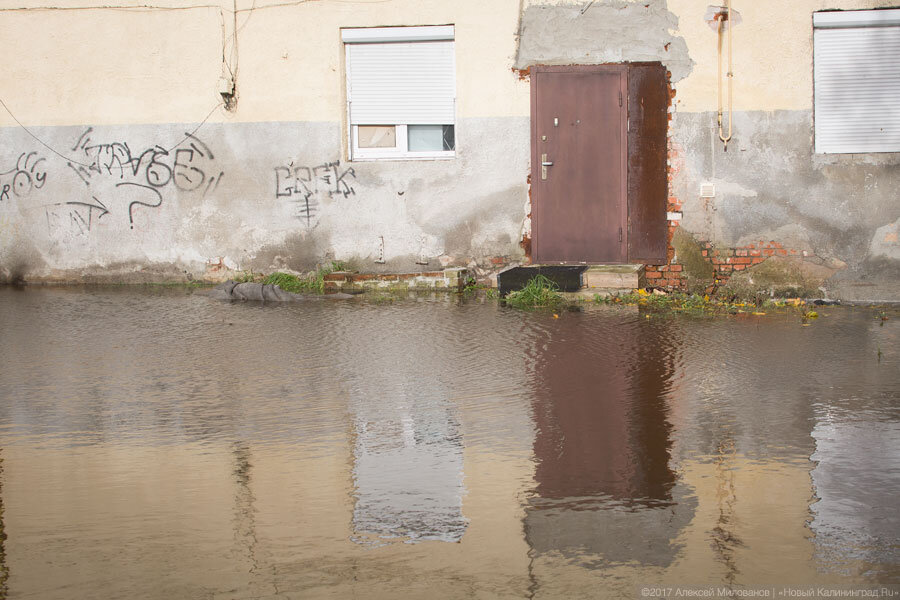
column 168, row 202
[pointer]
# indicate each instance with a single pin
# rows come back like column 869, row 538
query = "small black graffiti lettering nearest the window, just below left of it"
column 306, row 187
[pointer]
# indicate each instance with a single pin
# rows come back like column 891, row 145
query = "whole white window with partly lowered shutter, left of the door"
column 401, row 92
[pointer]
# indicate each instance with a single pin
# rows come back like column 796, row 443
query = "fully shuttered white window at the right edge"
column 857, row 81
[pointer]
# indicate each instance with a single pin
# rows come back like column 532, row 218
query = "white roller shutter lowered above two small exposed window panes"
column 401, row 83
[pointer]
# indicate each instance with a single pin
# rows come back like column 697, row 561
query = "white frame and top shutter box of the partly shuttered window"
column 371, row 35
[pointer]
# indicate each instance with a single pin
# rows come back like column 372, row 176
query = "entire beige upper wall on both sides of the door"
column 164, row 65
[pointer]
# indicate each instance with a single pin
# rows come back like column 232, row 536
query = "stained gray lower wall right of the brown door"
column 841, row 211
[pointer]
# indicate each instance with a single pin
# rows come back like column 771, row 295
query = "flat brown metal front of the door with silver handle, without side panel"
column 578, row 174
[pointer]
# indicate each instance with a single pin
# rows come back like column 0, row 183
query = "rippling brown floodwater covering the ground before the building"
column 159, row 444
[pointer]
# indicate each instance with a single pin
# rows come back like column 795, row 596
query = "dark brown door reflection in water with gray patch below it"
column 603, row 443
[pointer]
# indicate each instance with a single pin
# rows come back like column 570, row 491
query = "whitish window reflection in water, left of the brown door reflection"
column 408, row 471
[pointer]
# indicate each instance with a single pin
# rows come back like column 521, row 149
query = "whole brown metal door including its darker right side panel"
column 598, row 154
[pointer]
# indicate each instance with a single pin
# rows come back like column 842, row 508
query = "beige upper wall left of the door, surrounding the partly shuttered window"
column 110, row 66
